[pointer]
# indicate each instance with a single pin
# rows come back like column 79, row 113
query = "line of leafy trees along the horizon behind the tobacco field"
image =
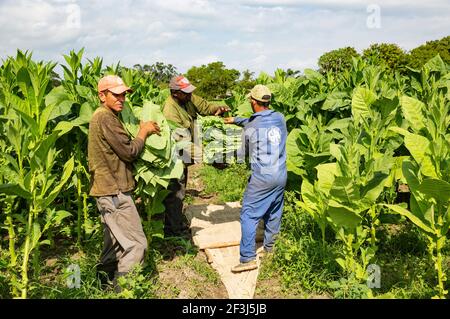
column 215, row 81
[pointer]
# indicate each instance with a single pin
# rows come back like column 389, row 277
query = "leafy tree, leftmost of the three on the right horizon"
column 337, row 60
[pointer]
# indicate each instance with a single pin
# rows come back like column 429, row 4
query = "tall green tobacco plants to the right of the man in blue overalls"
column 354, row 138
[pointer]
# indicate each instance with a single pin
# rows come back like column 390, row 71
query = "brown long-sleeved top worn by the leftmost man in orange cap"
column 110, row 154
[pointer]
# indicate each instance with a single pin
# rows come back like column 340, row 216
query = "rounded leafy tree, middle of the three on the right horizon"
column 388, row 54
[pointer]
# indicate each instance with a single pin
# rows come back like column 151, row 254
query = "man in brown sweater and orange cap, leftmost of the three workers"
column 110, row 154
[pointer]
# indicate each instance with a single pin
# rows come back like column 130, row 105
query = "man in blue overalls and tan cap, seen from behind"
column 264, row 141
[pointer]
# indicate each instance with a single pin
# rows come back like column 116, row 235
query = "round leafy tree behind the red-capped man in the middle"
column 213, row 81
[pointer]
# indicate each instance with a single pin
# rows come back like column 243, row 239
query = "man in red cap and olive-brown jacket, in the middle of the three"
column 182, row 108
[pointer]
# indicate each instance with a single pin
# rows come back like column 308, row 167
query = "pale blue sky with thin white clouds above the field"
column 244, row 34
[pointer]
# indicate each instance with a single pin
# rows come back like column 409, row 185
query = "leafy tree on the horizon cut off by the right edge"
column 420, row 55
